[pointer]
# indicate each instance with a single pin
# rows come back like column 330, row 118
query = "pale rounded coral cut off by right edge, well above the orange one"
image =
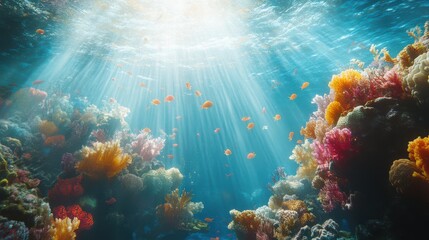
column 416, row 82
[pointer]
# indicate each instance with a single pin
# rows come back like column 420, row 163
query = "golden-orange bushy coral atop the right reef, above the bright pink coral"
column 343, row 86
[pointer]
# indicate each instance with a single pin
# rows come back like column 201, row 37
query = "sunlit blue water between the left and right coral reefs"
column 245, row 56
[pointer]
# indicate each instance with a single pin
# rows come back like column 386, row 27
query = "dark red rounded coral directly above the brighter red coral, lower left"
column 66, row 190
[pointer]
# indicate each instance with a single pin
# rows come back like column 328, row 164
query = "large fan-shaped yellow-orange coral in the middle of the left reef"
column 105, row 160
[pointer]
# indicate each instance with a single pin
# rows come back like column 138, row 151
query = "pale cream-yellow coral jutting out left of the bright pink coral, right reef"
column 303, row 155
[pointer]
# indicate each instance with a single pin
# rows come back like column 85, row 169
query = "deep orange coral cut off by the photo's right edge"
column 418, row 150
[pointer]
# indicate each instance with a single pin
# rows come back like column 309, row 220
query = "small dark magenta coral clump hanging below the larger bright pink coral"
column 331, row 196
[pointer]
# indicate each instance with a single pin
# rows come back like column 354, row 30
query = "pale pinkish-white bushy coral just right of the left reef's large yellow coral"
column 148, row 147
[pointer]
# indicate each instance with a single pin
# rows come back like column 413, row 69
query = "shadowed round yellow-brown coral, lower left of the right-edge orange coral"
column 401, row 175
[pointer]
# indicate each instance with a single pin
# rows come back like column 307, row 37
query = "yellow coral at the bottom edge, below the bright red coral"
column 64, row 229
